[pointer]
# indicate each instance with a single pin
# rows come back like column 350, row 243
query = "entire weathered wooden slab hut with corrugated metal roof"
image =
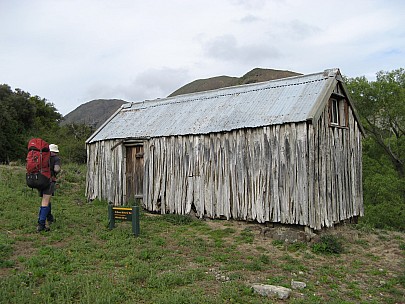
column 284, row 151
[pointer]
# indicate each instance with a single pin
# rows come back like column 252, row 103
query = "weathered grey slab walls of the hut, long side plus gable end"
column 294, row 173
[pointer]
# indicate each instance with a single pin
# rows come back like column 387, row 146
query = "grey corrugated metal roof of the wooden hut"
column 246, row 106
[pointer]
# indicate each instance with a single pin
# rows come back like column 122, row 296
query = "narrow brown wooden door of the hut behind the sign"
column 134, row 172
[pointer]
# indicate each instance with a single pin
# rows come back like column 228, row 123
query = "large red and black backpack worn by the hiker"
column 38, row 164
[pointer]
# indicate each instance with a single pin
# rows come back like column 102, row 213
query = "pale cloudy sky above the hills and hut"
column 74, row 51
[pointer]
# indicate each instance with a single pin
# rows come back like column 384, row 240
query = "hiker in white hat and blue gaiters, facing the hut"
column 45, row 211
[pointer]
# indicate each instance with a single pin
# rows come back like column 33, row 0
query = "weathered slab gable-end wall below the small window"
column 336, row 169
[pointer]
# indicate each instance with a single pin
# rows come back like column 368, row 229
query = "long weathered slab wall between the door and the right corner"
column 252, row 174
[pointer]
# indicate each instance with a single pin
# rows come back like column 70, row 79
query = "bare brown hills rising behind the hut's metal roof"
column 96, row 112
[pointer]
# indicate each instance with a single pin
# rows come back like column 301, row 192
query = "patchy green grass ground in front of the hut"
column 178, row 259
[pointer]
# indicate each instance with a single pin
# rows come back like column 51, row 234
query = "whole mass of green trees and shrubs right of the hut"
column 381, row 107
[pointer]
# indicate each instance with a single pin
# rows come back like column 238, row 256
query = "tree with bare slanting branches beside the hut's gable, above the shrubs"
column 381, row 105
